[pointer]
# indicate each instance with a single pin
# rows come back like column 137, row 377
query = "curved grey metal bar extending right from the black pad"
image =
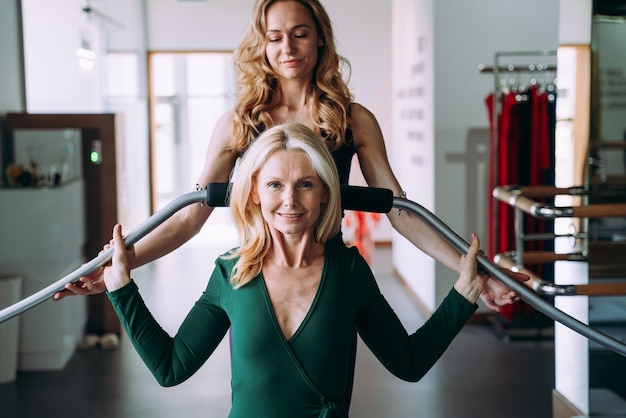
column 526, row 294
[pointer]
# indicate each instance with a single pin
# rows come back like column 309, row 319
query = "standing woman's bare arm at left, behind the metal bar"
column 183, row 225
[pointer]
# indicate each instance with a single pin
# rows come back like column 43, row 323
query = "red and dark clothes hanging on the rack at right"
column 522, row 154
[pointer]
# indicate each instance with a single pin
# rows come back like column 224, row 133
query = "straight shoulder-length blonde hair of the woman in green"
column 255, row 236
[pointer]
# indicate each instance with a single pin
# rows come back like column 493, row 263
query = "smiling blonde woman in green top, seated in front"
column 292, row 298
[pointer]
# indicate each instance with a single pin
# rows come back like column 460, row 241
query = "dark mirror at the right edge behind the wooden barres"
column 607, row 181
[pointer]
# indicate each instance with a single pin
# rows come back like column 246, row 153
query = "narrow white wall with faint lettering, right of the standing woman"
column 413, row 131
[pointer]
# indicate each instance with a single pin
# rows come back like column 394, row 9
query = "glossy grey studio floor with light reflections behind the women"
column 479, row 376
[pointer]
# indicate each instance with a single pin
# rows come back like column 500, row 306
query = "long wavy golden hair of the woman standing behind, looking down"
column 258, row 90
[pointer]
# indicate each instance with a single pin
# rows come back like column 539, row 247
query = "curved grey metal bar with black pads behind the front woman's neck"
column 353, row 198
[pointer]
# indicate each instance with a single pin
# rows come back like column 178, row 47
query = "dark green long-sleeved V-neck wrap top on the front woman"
column 266, row 380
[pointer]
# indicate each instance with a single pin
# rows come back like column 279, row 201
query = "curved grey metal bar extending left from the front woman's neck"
column 141, row 231
